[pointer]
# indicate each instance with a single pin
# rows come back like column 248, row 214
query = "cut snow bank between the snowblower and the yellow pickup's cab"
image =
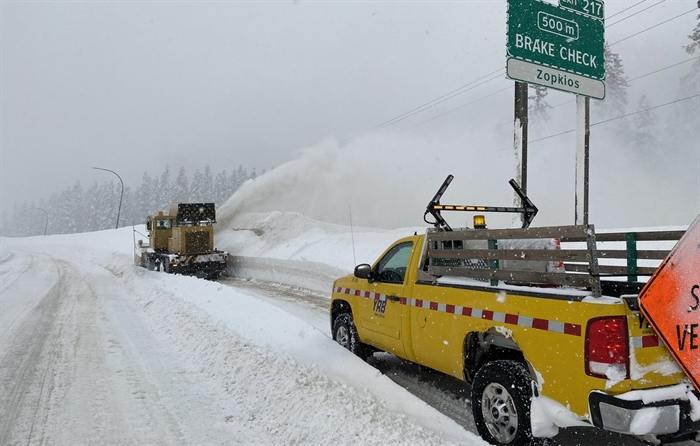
column 290, row 248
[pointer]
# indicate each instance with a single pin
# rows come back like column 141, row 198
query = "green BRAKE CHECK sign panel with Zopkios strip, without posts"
column 567, row 40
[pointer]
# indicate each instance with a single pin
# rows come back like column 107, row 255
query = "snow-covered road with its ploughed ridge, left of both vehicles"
column 97, row 351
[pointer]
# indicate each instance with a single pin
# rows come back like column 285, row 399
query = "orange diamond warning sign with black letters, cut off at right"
column 671, row 302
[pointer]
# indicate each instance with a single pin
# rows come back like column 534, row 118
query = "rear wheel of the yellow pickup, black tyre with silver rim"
column 501, row 396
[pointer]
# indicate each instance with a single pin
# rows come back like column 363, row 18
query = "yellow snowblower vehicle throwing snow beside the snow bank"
column 182, row 242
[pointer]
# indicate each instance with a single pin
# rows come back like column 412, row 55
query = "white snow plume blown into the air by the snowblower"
column 385, row 181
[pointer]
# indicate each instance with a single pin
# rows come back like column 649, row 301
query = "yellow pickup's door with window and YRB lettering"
column 381, row 309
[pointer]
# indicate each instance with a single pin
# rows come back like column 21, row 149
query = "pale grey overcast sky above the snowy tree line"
column 135, row 86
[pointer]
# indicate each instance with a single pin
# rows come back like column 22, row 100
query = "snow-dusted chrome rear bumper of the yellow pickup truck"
column 640, row 413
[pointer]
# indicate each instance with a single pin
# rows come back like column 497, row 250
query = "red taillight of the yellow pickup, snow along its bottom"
column 607, row 348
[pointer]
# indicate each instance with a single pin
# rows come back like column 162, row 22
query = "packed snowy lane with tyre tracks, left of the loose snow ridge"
column 80, row 365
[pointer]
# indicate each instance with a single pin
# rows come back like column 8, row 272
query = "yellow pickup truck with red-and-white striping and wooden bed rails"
column 543, row 323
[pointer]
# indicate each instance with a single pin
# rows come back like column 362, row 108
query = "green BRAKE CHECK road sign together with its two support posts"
column 561, row 47
